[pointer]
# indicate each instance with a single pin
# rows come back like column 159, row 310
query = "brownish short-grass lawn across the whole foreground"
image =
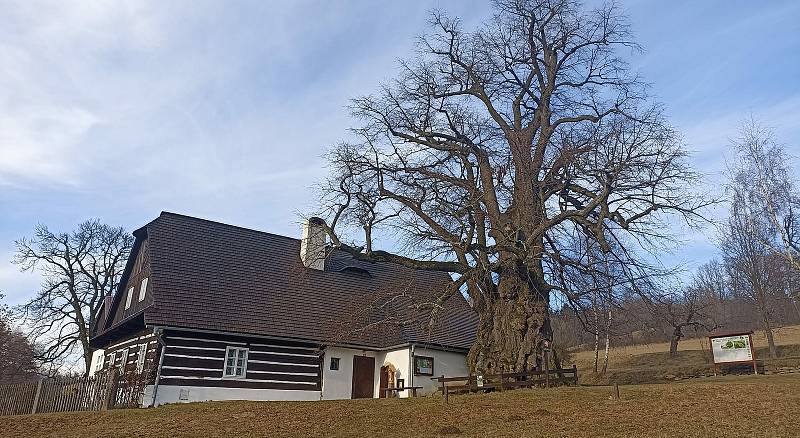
column 765, row 406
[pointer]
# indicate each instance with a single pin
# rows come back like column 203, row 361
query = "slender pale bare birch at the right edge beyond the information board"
column 763, row 223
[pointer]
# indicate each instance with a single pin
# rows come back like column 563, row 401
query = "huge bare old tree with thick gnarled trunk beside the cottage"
column 494, row 150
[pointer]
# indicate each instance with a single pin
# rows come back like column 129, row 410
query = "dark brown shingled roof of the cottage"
column 212, row 276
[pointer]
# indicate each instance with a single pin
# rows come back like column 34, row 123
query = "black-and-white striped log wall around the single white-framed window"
column 197, row 359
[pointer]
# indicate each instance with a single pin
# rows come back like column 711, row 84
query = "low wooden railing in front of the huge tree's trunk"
column 503, row 381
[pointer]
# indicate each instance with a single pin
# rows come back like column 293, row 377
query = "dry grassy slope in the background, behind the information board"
column 650, row 363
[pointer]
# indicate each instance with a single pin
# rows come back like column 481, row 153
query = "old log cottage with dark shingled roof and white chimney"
column 211, row 311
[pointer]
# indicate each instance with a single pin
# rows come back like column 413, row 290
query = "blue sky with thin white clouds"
column 224, row 109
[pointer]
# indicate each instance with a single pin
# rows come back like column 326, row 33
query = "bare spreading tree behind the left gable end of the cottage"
column 79, row 269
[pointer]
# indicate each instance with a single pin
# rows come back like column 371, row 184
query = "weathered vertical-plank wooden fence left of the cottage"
column 102, row 391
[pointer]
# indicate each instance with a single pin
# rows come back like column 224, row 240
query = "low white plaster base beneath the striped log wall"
column 171, row 394
